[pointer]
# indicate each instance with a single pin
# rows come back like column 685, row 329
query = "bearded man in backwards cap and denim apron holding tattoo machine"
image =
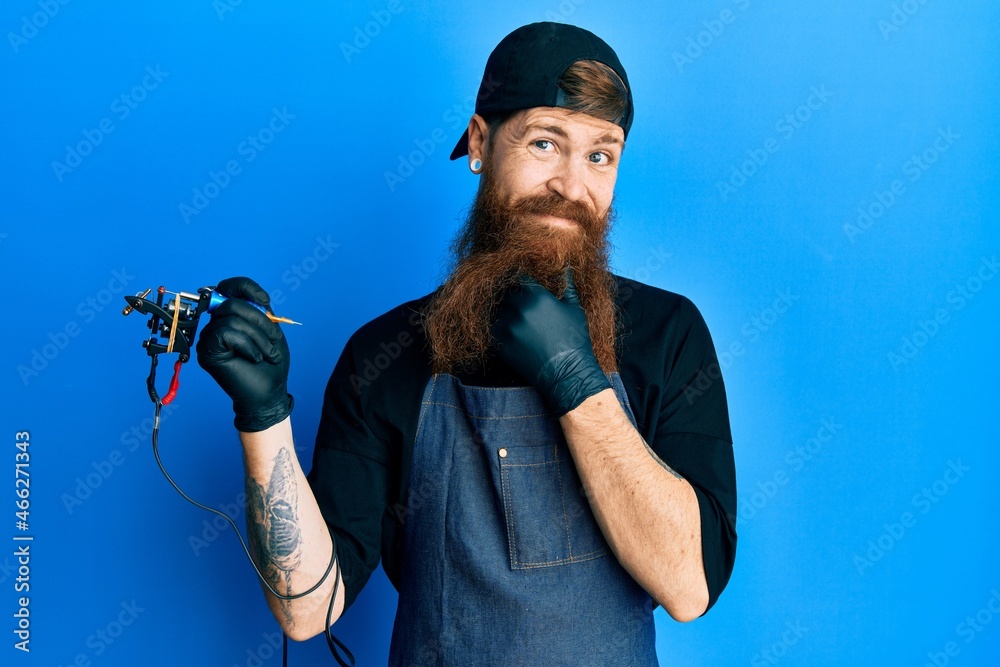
column 531, row 450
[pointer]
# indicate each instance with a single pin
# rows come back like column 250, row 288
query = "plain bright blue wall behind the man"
column 859, row 352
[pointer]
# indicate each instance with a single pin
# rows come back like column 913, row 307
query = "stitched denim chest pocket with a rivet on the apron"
column 549, row 521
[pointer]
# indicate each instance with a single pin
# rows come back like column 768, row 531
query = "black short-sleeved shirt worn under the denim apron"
column 361, row 463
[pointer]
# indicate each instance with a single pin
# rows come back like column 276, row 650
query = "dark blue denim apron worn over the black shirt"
column 503, row 562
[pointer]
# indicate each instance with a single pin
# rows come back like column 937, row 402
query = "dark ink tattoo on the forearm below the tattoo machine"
column 273, row 525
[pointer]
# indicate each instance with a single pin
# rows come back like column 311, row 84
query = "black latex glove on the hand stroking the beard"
column 546, row 340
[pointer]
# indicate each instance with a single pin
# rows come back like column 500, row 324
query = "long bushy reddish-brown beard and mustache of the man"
column 499, row 242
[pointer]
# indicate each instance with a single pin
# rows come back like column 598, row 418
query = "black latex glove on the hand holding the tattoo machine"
column 247, row 355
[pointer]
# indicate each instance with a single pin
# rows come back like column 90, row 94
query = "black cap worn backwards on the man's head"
column 524, row 71
